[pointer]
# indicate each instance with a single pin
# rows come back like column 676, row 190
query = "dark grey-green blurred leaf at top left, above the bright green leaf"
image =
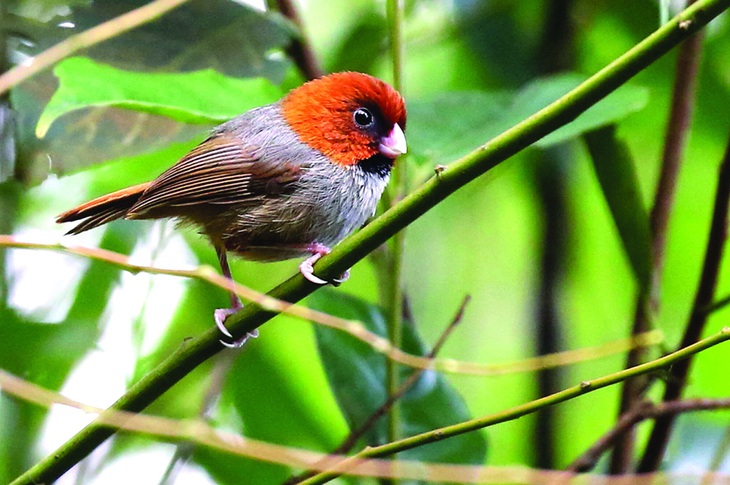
column 230, row 37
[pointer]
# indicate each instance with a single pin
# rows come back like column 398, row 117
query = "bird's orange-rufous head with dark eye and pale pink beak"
column 348, row 116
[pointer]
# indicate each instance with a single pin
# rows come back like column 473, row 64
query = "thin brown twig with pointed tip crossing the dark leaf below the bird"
column 383, row 409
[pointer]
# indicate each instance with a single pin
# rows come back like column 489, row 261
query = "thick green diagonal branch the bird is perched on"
column 356, row 247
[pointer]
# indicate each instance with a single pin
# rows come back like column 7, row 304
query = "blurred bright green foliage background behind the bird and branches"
column 534, row 242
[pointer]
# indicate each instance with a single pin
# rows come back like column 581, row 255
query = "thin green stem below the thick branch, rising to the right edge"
column 528, row 408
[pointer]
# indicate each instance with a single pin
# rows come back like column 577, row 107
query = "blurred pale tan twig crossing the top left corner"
column 86, row 39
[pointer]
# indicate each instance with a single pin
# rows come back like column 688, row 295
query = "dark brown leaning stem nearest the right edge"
column 660, row 434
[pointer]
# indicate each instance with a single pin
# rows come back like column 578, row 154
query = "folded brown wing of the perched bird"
column 219, row 171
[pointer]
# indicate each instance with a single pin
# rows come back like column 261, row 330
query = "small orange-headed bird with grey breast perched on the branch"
column 285, row 180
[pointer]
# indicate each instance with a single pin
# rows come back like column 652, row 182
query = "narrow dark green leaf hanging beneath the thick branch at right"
column 616, row 173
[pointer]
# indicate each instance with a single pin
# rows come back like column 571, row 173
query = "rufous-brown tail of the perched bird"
column 103, row 209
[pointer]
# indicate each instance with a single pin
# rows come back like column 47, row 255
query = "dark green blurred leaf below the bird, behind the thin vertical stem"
column 357, row 377
